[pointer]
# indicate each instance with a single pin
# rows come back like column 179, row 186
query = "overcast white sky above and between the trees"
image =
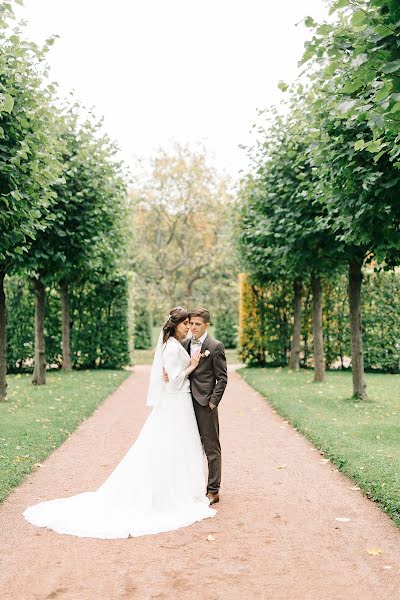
column 164, row 70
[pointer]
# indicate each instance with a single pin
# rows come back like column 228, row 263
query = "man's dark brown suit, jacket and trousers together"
column 208, row 382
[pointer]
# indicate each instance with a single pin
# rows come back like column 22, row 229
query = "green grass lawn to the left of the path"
column 34, row 420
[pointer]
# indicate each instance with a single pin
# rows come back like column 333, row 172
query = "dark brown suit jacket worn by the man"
column 208, row 381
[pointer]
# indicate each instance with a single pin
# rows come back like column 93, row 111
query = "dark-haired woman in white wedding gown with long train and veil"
column 159, row 485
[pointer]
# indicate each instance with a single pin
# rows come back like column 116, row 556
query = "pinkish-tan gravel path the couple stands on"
column 276, row 535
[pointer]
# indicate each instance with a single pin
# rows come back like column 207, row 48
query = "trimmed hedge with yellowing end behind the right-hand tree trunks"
column 266, row 323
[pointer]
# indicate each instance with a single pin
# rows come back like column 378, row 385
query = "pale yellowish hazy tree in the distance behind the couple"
column 182, row 247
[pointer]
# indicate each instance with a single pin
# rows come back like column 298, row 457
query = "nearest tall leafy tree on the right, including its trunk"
column 356, row 101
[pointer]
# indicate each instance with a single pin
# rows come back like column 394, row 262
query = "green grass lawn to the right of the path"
column 361, row 437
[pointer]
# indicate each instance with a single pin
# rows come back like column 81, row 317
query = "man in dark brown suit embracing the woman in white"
column 208, row 382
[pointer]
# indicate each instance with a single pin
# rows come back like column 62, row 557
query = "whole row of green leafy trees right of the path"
column 324, row 193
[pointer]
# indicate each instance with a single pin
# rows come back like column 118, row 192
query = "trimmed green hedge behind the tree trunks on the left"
column 99, row 325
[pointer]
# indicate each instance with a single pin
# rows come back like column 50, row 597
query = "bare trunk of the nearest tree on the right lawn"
column 357, row 353
